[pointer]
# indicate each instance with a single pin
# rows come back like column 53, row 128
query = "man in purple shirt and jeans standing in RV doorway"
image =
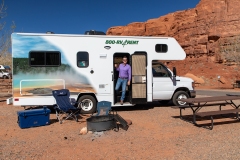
column 124, row 77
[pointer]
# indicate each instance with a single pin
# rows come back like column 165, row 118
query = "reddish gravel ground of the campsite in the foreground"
column 156, row 133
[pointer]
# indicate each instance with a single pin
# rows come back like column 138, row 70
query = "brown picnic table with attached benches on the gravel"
column 196, row 104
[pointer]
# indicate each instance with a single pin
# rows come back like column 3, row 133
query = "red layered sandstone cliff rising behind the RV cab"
column 201, row 31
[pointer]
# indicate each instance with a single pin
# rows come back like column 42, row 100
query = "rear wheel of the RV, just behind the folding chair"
column 87, row 104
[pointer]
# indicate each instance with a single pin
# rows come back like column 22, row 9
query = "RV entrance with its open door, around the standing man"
column 136, row 92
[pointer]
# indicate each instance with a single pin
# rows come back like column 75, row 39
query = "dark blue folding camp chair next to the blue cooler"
column 64, row 106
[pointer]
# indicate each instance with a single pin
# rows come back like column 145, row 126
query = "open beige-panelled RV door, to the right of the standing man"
column 139, row 77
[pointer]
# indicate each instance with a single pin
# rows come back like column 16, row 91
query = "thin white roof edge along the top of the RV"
column 80, row 35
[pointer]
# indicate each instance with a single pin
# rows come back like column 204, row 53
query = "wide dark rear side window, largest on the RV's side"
column 44, row 58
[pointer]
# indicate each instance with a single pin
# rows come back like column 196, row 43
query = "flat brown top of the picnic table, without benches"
column 209, row 99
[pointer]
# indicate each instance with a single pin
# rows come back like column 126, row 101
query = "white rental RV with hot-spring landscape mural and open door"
column 84, row 64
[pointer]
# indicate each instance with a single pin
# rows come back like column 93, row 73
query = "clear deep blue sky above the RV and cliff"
column 78, row 16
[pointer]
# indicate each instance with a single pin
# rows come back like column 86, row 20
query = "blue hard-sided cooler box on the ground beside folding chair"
column 33, row 118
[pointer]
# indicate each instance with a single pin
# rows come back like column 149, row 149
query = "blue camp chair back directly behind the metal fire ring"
column 103, row 108
